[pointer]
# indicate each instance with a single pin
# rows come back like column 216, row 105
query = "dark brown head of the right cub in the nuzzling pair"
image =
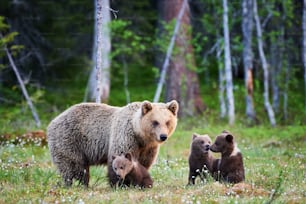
column 223, row 142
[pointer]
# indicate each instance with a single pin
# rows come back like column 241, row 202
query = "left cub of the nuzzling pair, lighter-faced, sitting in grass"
column 201, row 161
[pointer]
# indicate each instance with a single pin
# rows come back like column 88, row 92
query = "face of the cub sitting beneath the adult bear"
column 122, row 165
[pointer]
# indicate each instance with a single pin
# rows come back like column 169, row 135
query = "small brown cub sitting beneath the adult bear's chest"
column 131, row 172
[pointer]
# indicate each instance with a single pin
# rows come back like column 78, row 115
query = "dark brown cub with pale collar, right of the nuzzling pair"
column 230, row 167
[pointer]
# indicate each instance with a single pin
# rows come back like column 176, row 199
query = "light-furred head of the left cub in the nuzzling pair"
column 200, row 143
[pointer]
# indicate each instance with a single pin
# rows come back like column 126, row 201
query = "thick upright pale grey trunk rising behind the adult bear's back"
column 98, row 86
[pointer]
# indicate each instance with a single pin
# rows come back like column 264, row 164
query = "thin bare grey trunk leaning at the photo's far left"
column 24, row 90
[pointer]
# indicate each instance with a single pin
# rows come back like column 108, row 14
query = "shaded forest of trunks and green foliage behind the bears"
column 231, row 59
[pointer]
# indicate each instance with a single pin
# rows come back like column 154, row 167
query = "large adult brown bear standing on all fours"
column 89, row 134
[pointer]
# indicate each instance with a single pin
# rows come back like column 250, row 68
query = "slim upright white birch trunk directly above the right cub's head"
column 228, row 67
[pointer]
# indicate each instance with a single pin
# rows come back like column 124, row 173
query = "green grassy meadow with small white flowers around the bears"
column 274, row 160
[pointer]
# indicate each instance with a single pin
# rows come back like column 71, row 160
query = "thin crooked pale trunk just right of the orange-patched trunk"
column 265, row 67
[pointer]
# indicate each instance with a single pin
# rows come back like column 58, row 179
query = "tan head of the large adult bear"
column 158, row 120
